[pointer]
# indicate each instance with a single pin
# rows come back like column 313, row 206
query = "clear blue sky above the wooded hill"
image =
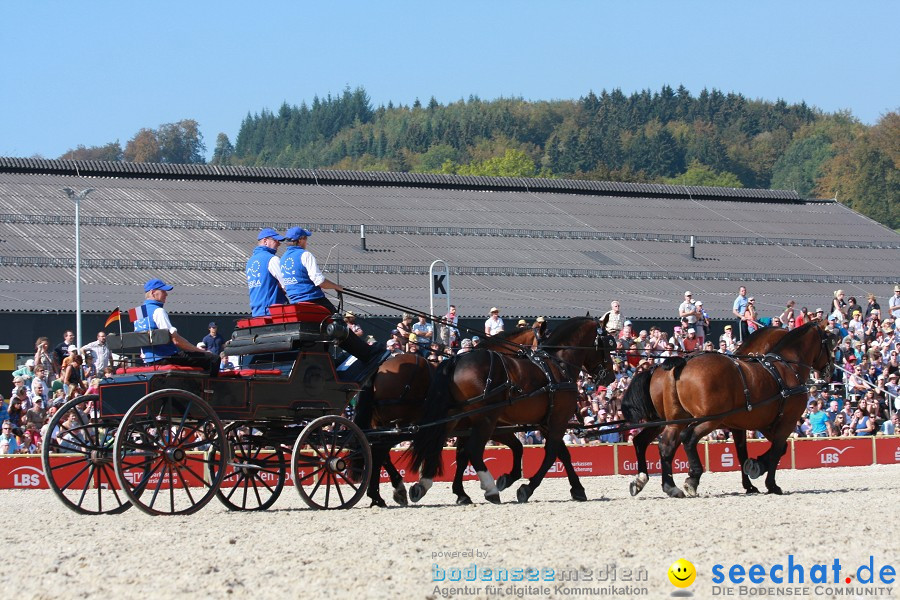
column 94, row 72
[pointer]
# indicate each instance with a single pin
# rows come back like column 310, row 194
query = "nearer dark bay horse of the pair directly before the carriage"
column 488, row 389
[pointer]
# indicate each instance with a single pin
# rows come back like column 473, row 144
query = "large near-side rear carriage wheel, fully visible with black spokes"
column 160, row 453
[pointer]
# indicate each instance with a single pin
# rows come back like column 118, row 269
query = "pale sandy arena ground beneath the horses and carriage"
column 294, row 552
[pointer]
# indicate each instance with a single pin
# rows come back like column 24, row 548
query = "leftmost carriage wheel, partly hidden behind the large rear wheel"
column 83, row 476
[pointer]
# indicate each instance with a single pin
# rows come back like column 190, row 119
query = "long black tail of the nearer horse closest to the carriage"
column 428, row 442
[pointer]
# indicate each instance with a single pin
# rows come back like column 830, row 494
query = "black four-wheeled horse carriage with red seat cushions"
column 168, row 438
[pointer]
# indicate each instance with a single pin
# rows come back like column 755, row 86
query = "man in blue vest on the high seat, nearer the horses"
column 304, row 281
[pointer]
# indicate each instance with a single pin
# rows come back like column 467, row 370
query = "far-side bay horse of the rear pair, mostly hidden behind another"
column 396, row 399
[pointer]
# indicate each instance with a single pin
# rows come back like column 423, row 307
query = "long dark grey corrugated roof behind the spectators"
column 535, row 247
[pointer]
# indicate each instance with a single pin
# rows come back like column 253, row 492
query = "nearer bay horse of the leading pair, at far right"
column 766, row 393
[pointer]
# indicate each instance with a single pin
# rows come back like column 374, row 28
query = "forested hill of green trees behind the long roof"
column 712, row 138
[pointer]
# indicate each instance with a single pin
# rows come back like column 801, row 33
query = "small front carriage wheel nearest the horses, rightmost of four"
column 331, row 463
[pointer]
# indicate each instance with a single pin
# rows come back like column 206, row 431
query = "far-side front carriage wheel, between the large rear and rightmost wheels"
column 254, row 472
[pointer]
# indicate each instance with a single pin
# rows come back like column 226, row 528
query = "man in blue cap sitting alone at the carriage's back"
column 152, row 315
